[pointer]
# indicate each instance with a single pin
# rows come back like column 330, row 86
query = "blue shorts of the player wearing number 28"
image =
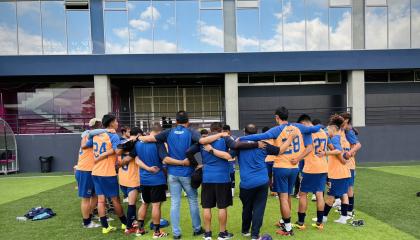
column 284, row 179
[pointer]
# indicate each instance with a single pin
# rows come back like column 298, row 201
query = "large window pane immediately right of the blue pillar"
column 116, row 31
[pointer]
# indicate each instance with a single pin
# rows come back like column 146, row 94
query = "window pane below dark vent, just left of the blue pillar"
column 78, row 32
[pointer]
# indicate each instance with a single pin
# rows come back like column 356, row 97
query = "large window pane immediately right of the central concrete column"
column 247, row 28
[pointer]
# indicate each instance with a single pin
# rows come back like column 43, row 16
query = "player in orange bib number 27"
column 314, row 174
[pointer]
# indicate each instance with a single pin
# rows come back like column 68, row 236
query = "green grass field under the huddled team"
column 385, row 199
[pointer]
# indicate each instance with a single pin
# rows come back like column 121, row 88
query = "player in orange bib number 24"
column 104, row 175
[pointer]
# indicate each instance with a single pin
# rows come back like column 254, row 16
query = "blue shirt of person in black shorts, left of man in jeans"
column 150, row 154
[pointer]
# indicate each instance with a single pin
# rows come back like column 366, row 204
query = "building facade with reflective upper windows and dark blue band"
column 235, row 61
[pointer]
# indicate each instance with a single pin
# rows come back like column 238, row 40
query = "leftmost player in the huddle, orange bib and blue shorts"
column 84, row 177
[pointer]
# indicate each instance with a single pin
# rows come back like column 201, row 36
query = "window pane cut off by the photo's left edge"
column 8, row 28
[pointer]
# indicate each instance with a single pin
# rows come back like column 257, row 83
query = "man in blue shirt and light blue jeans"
column 178, row 140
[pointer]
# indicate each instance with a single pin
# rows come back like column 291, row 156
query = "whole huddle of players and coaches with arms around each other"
column 149, row 163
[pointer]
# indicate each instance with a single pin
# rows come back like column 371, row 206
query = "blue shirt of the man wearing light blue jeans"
column 179, row 139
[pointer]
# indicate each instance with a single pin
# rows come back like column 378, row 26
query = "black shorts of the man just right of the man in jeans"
column 216, row 193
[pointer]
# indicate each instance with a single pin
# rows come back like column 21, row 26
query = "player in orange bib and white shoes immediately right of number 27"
column 338, row 172
